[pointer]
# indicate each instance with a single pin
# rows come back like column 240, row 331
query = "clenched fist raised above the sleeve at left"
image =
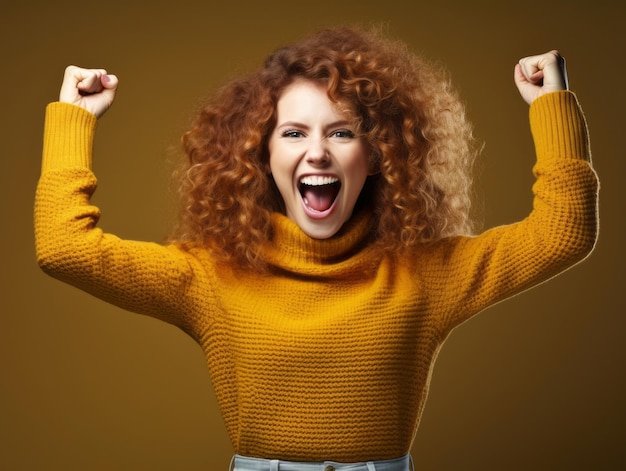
column 91, row 89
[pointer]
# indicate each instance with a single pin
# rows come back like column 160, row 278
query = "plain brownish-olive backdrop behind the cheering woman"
column 536, row 382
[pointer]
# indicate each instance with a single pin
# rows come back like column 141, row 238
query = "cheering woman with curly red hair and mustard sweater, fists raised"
column 324, row 251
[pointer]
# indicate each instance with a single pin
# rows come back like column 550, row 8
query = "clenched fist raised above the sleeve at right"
column 540, row 74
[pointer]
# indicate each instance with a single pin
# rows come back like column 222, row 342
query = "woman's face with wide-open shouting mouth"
column 318, row 163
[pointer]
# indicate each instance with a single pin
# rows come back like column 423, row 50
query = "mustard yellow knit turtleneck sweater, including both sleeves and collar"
column 323, row 357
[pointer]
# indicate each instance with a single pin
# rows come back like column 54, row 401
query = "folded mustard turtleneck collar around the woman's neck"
column 293, row 251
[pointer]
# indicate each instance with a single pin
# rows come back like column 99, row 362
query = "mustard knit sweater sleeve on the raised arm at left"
column 142, row 277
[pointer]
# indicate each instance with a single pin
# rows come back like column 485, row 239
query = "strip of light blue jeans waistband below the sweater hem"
column 242, row 463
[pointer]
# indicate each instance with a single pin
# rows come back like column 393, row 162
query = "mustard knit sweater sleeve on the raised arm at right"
column 467, row 274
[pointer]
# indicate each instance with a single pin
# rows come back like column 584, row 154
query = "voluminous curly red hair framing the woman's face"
column 420, row 141
